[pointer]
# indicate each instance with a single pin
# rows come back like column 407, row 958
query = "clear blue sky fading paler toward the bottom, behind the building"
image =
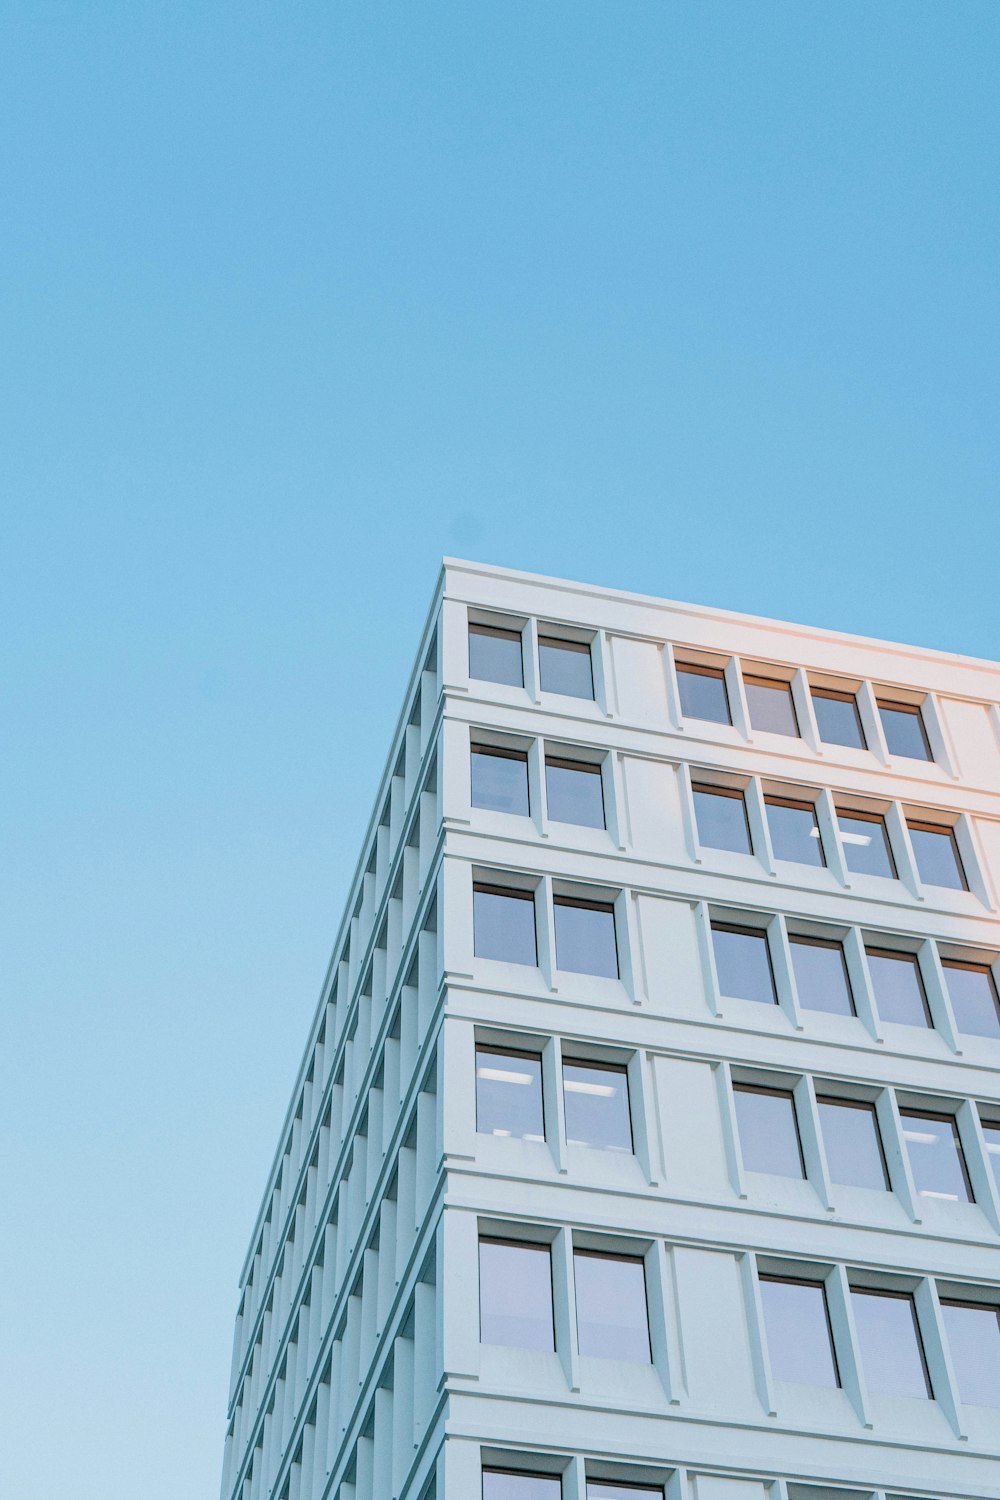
column 698, row 299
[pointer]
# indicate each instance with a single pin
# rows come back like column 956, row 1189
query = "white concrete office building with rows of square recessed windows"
column 648, row 1133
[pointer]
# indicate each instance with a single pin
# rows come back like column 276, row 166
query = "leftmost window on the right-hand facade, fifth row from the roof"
column 516, row 1294
